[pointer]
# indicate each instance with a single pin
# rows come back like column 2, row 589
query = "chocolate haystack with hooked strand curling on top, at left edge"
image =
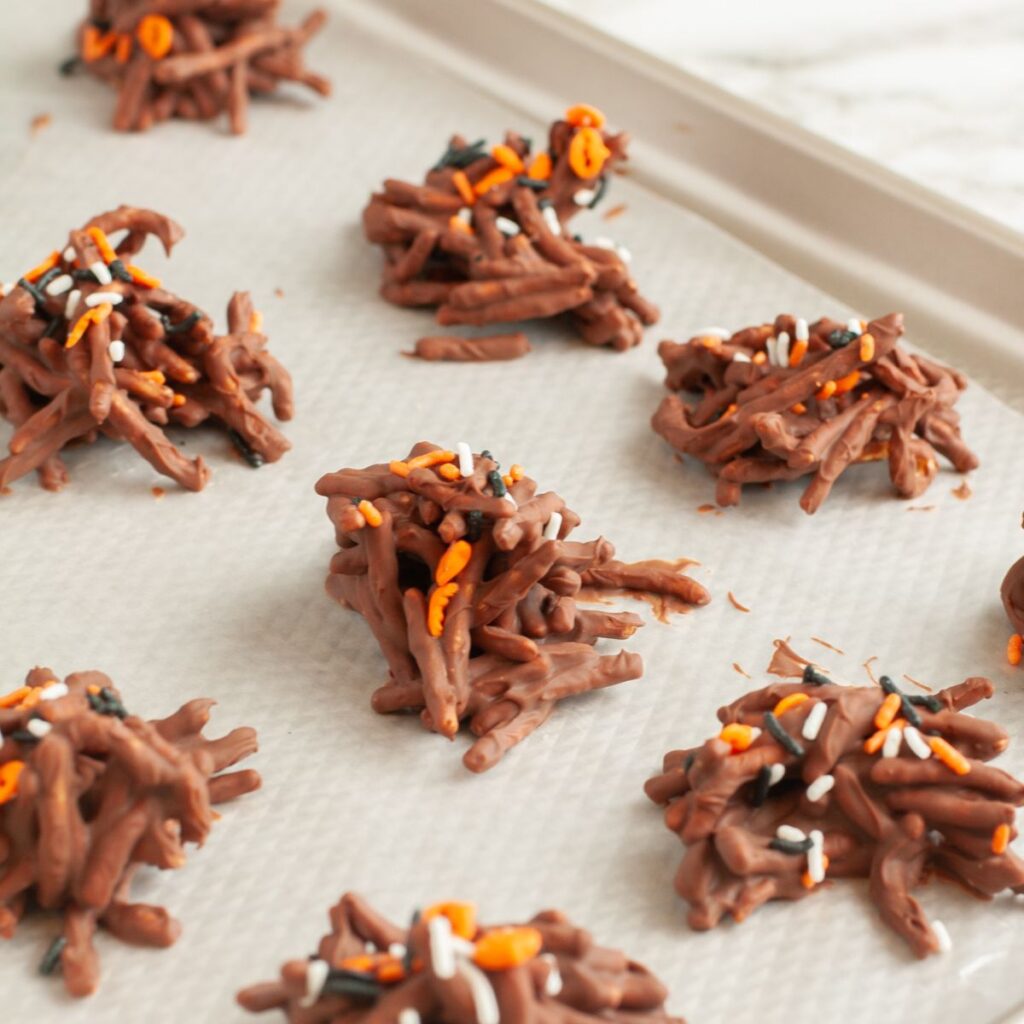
column 91, row 345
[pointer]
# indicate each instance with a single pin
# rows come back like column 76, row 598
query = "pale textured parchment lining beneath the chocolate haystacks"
column 222, row 593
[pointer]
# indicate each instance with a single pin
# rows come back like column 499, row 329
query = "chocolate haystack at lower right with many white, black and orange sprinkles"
column 813, row 781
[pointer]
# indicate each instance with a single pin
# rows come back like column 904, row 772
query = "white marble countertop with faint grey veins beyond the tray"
column 931, row 89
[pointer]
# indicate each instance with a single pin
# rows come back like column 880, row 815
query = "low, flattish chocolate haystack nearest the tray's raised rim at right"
column 788, row 400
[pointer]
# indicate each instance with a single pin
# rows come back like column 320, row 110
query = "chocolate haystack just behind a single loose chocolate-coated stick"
column 486, row 239
